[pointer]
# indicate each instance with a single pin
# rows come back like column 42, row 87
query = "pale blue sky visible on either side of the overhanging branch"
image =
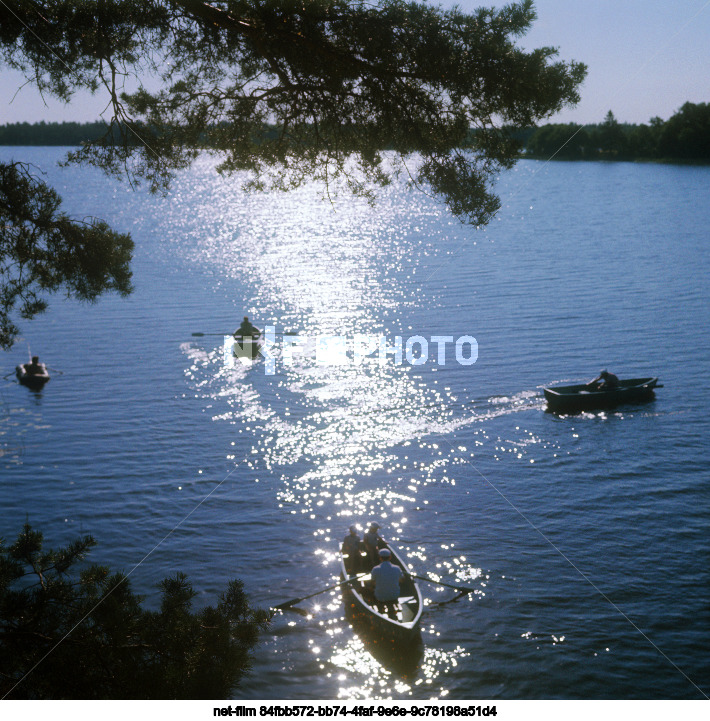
column 645, row 59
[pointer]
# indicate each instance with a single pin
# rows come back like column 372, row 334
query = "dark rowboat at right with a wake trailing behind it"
column 574, row 399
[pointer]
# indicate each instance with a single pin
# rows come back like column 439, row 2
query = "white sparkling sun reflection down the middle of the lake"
column 338, row 446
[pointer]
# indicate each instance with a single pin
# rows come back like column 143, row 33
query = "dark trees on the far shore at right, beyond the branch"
column 685, row 136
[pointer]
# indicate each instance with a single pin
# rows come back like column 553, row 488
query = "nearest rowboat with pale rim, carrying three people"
column 364, row 614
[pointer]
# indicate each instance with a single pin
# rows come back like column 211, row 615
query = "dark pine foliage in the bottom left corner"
column 69, row 635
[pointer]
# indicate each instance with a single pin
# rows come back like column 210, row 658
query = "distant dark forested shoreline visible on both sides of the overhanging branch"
column 685, row 136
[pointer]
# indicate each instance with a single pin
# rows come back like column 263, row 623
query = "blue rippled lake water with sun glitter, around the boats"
column 585, row 537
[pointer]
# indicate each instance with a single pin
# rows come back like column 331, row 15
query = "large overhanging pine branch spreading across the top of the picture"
column 291, row 91
